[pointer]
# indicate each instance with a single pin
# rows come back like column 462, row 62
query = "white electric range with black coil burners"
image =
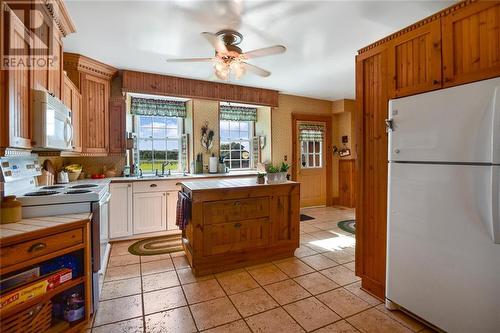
column 19, row 173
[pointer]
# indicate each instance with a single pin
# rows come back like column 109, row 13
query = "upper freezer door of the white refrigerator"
column 459, row 124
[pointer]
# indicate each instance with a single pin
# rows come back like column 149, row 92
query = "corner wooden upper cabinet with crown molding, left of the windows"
column 93, row 78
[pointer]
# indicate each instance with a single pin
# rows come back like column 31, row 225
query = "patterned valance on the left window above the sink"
column 157, row 107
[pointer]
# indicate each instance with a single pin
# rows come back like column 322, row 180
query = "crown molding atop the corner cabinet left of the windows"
column 74, row 61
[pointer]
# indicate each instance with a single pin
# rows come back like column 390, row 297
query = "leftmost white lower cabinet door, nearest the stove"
column 120, row 210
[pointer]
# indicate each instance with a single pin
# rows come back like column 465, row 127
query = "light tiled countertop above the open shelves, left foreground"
column 38, row 223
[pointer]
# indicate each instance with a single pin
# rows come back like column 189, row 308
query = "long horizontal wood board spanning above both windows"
column 147, row 83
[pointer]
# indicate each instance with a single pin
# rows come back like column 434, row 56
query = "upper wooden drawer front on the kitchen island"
column 235, row 210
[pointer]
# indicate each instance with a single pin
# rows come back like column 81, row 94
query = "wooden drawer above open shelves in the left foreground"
column 14, row 254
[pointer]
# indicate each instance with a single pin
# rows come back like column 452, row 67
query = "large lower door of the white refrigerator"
column 442, row 263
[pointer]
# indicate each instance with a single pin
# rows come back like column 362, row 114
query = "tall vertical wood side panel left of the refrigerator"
column 371, row 168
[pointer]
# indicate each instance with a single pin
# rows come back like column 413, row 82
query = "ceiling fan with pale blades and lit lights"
column 229, row 58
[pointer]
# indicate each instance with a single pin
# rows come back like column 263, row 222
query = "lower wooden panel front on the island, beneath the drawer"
column 236, row 236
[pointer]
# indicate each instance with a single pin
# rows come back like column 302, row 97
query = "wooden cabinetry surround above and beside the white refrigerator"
column 458, row 45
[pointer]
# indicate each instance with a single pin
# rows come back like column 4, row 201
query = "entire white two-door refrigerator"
column 443, row 232
